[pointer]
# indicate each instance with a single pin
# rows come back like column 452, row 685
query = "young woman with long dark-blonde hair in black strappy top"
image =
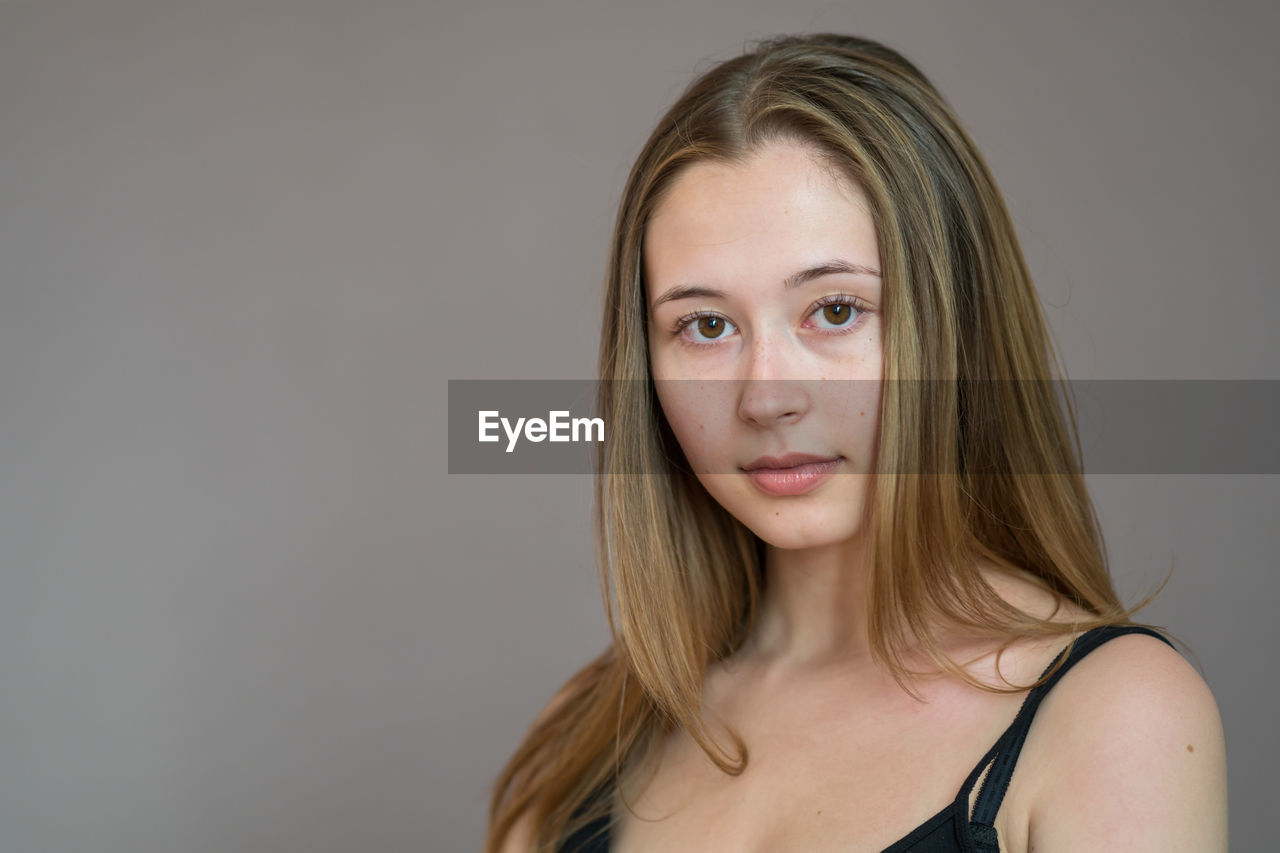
column 845, row 544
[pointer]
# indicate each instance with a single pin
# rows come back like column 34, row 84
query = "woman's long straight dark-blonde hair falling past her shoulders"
column 979, row 458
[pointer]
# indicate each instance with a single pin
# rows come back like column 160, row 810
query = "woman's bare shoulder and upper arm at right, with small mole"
column 1135, row 755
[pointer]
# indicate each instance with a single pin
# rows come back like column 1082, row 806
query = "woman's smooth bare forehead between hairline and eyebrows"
column 784, row 207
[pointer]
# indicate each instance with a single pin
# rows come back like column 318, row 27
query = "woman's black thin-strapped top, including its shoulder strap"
column 952, row 831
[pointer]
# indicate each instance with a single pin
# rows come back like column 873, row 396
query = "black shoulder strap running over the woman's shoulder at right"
column 1007, row 750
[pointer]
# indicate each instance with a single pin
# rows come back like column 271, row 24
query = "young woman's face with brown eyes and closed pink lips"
column 765, row 335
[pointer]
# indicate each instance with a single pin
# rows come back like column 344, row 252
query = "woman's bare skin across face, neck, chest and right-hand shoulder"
column 1127, row 751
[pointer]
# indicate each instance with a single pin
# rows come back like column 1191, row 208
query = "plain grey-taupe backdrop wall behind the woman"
column 245, row 247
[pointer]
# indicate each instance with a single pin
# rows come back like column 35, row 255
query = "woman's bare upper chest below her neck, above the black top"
column 849, row 768
